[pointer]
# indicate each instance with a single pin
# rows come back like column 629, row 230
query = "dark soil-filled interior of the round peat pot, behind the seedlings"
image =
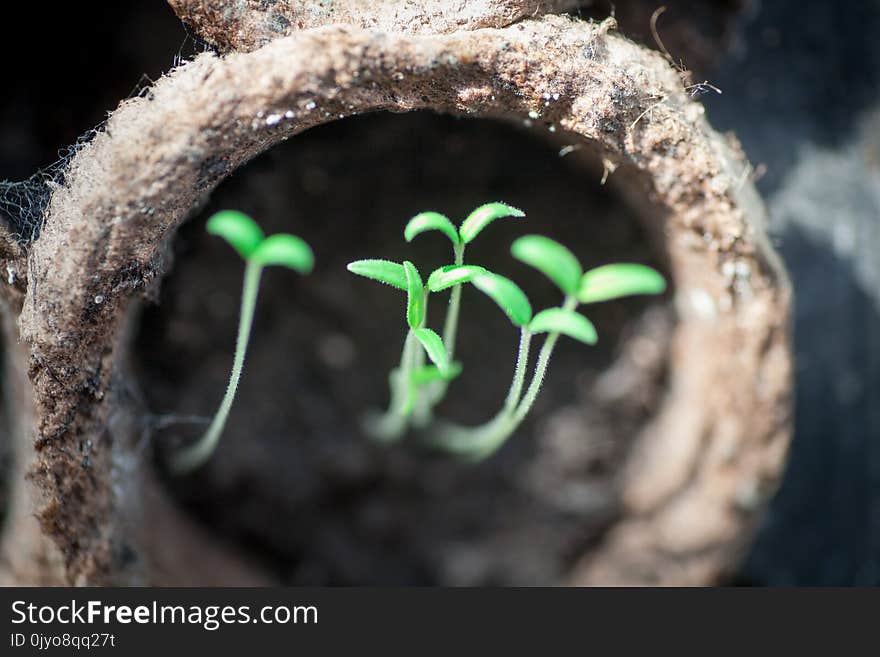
column 294, row 481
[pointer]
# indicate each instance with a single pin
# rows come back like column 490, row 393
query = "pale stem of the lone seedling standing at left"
column 198, row 453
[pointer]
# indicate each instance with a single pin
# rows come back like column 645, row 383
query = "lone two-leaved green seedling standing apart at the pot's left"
column 258, row 252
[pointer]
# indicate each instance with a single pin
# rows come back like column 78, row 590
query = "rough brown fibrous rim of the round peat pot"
column 703, row 468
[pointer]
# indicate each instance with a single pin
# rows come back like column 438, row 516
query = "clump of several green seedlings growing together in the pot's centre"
column 417, row 388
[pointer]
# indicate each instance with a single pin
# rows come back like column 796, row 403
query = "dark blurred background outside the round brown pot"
column 801, row 90
